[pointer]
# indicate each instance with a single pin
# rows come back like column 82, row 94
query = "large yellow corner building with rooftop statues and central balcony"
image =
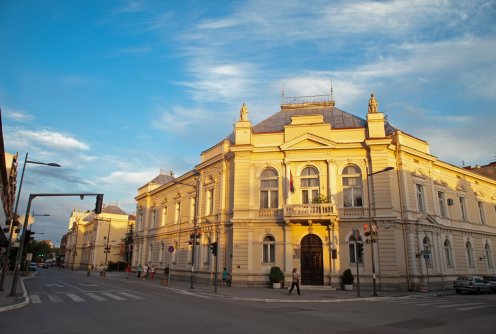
column 304, row 189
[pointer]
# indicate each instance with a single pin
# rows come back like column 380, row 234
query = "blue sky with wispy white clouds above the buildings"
column 114, row 91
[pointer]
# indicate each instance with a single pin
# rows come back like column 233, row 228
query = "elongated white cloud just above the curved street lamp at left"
column 52, row 139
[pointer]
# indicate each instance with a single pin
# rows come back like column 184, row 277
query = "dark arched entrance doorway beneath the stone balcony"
column 312, row 267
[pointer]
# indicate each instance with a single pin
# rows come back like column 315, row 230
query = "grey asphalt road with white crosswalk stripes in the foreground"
column 63, row 301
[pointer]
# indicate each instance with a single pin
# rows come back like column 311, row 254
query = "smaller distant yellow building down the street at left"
column 96, row 239
